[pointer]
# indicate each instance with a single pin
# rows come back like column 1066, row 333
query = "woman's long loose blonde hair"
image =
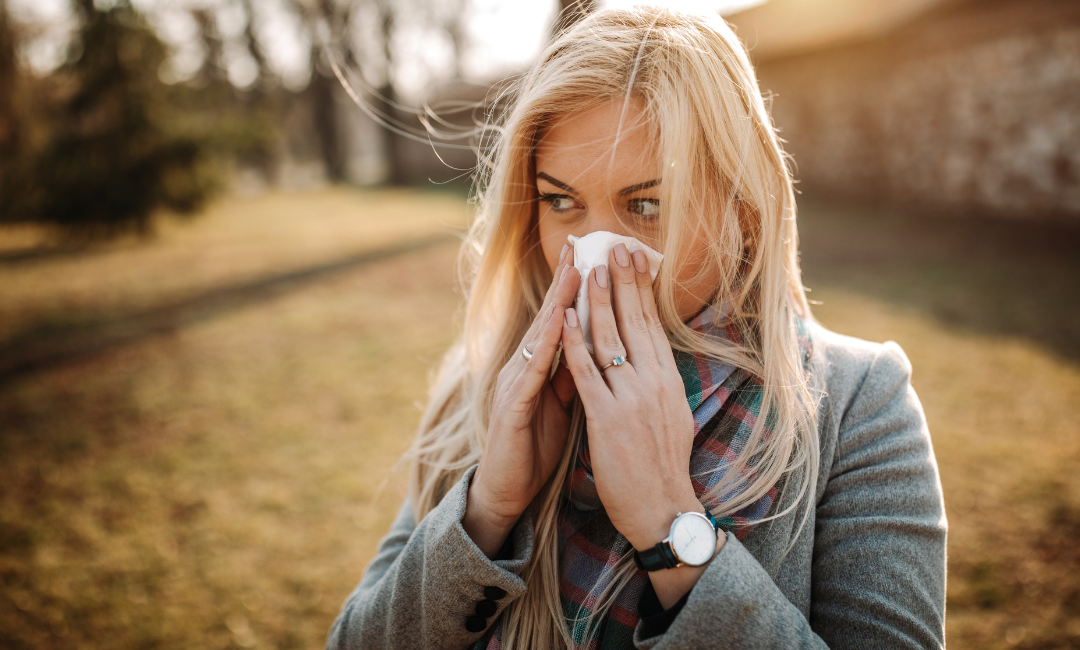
column 726, row 182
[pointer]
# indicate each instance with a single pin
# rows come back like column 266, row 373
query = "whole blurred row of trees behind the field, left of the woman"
column 101, row 145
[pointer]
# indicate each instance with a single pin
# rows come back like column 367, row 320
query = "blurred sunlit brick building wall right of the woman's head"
column 975, row 109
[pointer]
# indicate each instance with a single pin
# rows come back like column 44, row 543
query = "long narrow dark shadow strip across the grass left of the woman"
column 48, row 345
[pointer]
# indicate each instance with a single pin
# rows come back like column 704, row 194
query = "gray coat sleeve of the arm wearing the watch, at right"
column 879, row 568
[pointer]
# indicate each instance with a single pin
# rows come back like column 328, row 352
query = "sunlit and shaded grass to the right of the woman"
column 990, row 316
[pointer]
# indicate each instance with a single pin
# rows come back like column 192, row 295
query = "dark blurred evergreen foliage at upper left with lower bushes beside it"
column 101, row 145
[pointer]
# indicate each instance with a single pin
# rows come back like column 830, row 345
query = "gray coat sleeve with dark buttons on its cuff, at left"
column 426, row 581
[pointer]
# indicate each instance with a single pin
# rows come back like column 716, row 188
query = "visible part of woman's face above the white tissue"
column 587, row 184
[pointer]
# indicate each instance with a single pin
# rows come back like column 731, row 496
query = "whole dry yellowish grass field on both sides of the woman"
column 199, row 434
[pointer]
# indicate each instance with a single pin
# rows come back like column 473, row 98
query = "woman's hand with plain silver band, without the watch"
column 518, row 461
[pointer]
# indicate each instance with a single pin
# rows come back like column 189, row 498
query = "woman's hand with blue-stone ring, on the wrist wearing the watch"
column 641, row 429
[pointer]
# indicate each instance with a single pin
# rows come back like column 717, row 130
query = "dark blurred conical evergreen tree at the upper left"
column 112, row 158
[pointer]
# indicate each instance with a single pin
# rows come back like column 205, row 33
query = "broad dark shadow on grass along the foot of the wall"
column 996, row 278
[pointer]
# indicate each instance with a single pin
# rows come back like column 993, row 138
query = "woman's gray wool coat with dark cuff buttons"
column 868, row 570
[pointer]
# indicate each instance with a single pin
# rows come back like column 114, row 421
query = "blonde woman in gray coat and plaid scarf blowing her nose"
column 722, row 472
